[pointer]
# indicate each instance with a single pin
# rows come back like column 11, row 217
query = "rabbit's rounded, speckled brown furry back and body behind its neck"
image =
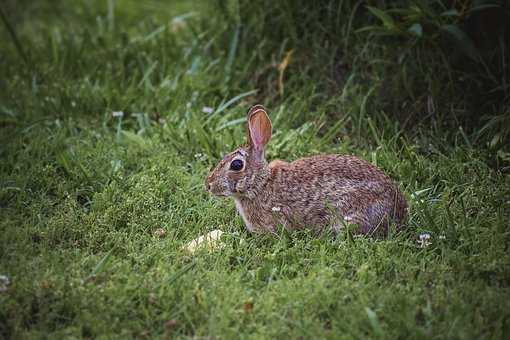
column 334, row 189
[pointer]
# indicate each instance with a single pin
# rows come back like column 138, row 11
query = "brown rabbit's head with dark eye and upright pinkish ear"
column 244, row 171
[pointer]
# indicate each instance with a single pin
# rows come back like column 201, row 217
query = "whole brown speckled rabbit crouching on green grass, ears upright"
column 318, row 192
